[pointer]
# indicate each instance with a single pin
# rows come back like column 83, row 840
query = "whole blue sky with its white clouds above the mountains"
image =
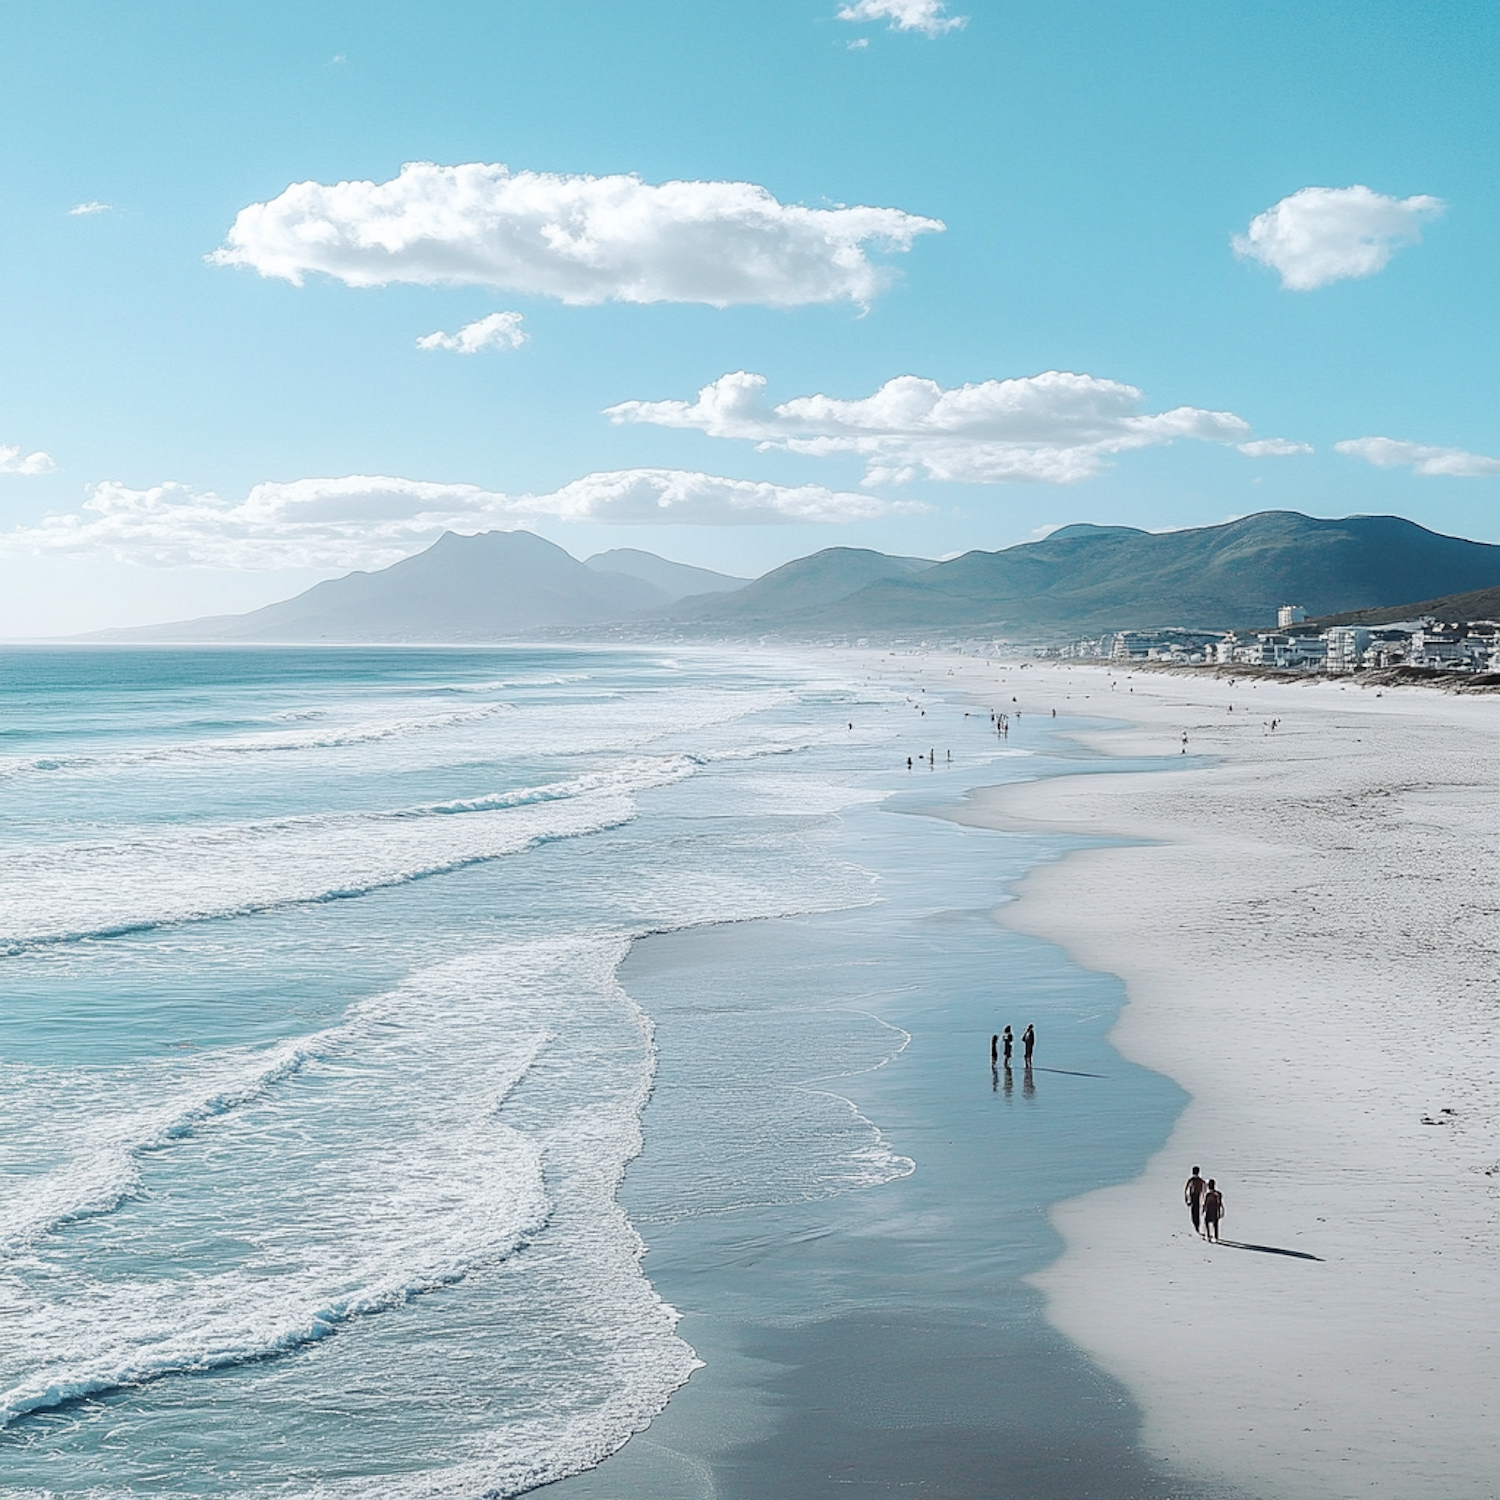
column 290, row 290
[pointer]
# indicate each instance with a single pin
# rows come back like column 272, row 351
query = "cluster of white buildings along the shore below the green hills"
column 1450, row 647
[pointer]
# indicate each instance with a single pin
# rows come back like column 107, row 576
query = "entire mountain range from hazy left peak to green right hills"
column 1076, row 581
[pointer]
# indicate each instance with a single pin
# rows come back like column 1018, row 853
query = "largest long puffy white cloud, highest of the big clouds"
column 584, row 241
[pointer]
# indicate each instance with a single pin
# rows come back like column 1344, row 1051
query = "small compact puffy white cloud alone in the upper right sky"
column 1327, row 235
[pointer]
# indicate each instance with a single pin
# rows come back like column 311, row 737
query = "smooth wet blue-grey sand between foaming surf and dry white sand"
column 887, row 1340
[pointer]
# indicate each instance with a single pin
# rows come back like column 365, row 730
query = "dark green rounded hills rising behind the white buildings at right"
column 1115, row 578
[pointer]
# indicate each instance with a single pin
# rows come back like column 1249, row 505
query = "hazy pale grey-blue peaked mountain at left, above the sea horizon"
column 463, row 589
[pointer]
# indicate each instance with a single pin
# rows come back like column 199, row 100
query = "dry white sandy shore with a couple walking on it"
column 1309, row 929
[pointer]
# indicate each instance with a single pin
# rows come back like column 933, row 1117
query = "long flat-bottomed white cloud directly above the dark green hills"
column 1052, row 428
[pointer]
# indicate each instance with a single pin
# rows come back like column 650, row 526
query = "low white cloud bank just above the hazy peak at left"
column 373, row 521
